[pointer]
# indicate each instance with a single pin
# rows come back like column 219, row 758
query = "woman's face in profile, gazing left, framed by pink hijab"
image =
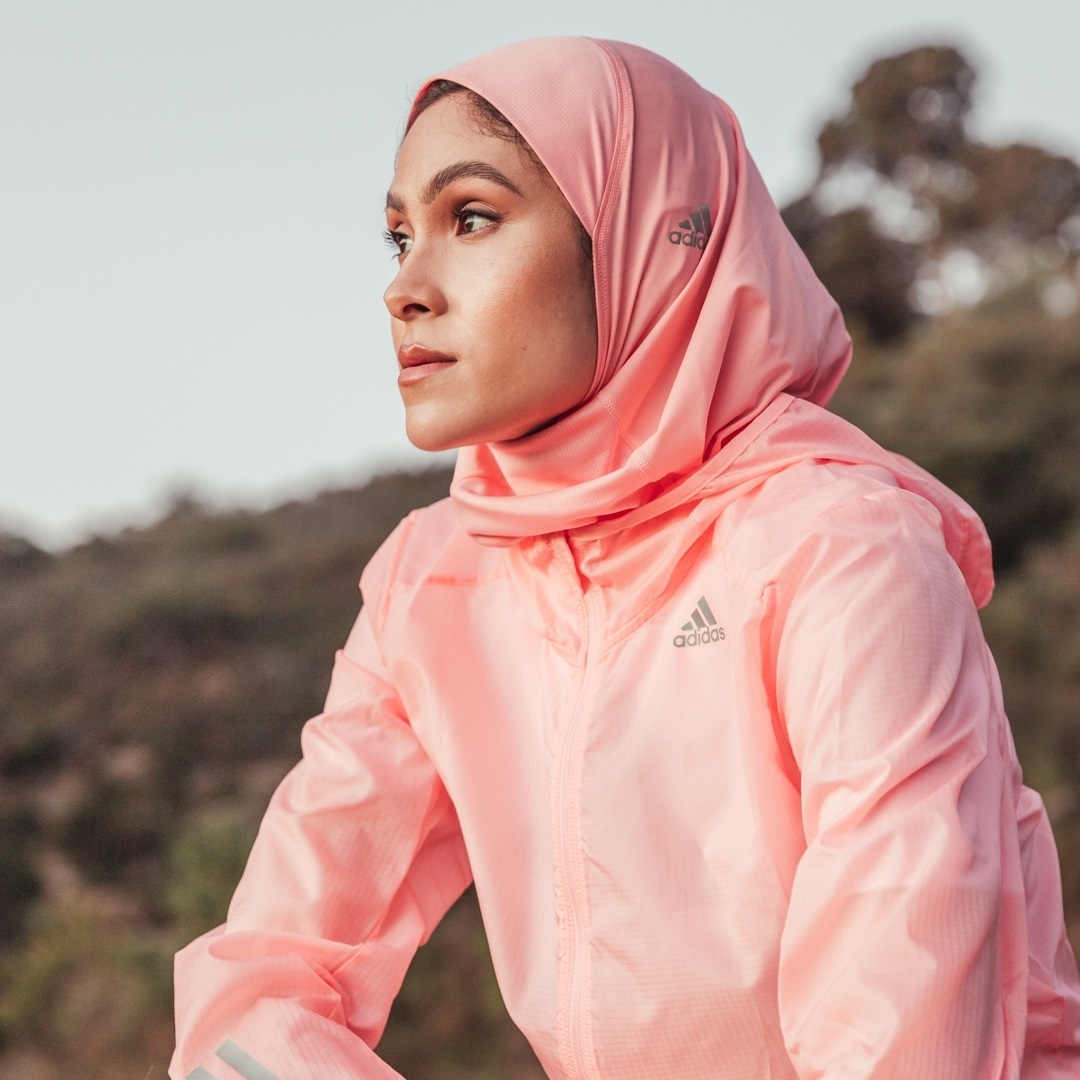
column 493, row 309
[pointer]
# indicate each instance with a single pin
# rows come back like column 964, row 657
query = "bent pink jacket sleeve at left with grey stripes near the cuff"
column 358, row 858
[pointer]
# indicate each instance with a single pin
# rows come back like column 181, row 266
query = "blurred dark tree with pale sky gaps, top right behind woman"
column 910, row 217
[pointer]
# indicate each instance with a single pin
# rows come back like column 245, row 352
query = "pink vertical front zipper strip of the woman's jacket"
column 569, row 854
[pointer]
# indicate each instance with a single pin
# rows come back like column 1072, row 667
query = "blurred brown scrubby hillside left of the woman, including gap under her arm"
column 153, row 688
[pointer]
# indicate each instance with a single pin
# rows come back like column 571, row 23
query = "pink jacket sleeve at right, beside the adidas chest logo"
column 904, row 949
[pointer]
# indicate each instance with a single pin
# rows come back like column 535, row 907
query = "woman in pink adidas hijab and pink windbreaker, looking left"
column 686, row 676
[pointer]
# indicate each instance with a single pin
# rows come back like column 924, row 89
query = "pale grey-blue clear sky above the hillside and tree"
column 192, row 263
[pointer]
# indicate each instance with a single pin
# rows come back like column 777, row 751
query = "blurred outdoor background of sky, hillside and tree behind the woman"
column 201, row 442
